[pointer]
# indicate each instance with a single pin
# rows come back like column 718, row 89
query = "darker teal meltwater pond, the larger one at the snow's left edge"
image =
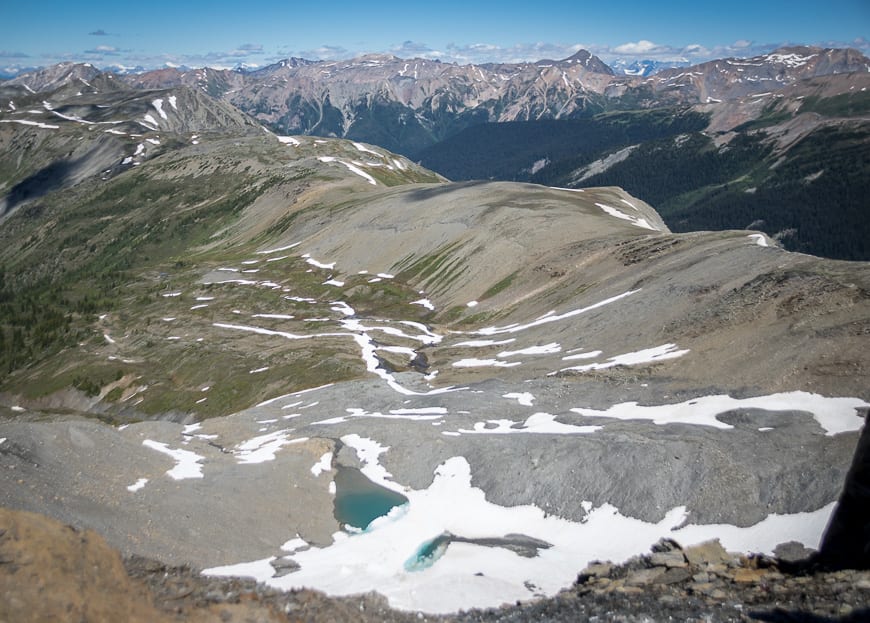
column 359, row 501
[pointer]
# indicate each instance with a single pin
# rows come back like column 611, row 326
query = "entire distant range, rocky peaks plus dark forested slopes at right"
column 766, row 141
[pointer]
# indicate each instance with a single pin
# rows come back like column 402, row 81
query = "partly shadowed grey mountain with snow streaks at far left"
column 57, row 138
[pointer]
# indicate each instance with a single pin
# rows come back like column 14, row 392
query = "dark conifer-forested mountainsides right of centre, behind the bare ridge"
column 790, row 163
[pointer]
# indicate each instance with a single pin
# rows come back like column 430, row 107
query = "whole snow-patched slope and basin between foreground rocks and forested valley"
column 253, row 329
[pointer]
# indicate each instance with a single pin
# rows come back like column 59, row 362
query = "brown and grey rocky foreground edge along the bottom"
column 53, row 572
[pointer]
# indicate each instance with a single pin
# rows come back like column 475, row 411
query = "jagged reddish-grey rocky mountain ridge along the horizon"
column 408, row 104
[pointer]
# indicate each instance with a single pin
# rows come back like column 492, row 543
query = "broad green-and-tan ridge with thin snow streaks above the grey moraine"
column 159, row 263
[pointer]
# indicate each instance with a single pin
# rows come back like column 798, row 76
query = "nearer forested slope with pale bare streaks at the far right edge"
column 791, row 165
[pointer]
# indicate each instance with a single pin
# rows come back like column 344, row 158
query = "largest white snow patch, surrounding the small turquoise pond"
column 375, row 560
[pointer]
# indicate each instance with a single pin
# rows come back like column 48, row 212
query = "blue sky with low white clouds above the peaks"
column 227, row 34
